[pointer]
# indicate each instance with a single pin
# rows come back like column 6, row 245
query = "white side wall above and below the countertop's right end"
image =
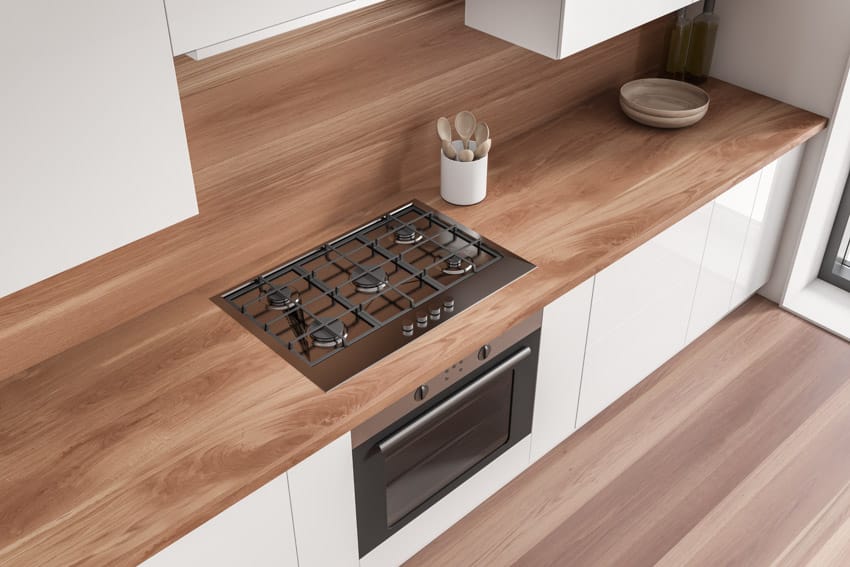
column 794, row 51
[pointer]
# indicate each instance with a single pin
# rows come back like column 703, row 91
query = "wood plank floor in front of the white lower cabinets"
column 737, row 452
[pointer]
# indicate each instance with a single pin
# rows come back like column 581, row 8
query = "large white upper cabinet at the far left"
column 93, row 147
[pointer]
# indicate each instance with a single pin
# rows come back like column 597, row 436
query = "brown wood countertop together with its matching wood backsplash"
column 159, row 410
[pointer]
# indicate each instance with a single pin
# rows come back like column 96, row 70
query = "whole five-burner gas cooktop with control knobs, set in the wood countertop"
column 345, row 305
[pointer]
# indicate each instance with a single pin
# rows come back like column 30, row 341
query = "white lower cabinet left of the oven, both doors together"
column 303, row 518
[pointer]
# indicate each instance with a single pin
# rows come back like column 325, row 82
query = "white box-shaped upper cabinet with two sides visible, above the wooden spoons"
column 559, row 28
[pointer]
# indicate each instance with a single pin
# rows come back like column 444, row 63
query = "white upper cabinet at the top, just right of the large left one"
column 200, row 23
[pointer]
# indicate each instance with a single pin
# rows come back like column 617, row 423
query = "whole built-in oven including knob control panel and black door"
column 428, row 443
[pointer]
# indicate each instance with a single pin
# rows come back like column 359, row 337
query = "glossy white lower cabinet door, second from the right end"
column 723, row 250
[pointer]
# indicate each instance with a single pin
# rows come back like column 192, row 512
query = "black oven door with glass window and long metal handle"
column 402, row 471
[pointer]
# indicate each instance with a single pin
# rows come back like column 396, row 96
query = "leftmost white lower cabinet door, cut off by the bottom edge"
column 255, row 531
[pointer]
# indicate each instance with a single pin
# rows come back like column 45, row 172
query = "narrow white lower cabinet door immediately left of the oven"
column 323, row 510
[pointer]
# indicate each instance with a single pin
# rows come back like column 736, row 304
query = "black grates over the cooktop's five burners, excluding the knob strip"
column 337, row 295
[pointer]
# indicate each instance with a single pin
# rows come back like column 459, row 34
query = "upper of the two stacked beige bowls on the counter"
column 664, row 97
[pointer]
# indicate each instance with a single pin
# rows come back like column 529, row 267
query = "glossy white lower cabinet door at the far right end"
column 766, row 224
